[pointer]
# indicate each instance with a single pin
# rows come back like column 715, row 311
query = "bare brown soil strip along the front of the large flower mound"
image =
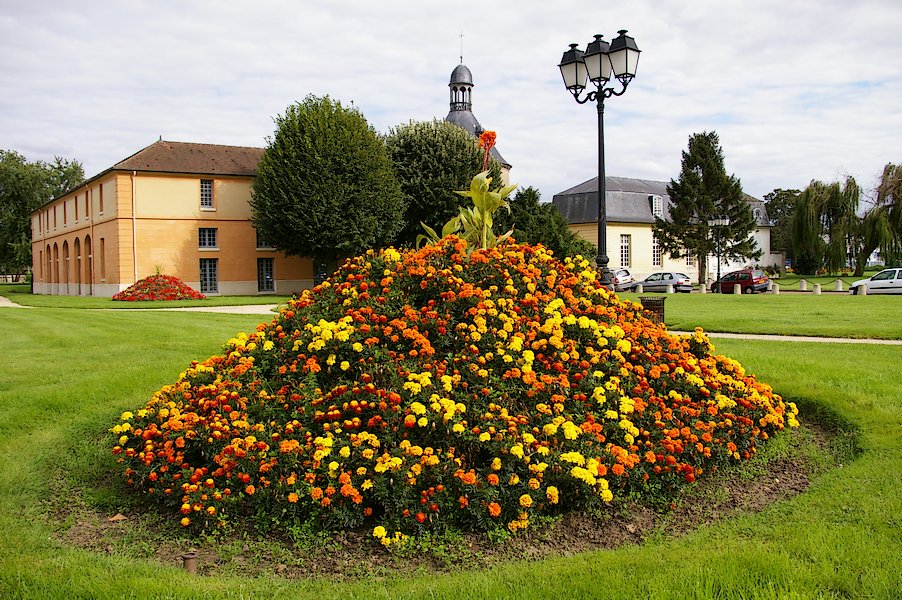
column 355, row 554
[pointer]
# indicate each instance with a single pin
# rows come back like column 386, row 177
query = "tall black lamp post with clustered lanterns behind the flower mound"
column 599, row 64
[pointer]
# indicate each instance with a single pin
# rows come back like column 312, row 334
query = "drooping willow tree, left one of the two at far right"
column 826, row 228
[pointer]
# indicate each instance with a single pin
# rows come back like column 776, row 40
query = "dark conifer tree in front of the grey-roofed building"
column 704, row 191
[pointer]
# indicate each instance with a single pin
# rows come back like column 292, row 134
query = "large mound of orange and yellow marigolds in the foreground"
column 434, row 388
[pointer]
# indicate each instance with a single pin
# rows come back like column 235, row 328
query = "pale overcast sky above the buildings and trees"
column 797, row 90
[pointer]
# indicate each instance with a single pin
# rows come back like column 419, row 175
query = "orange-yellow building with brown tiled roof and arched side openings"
column 179, row 208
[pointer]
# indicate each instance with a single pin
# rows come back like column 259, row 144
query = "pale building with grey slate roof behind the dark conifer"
column 632, row 205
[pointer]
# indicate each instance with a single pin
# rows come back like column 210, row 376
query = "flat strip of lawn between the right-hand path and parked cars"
column 827, row 315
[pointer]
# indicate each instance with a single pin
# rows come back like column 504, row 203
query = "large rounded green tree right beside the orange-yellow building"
column 325, row 187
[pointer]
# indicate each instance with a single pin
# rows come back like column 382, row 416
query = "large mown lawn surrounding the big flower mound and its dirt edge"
column 68, row 374
